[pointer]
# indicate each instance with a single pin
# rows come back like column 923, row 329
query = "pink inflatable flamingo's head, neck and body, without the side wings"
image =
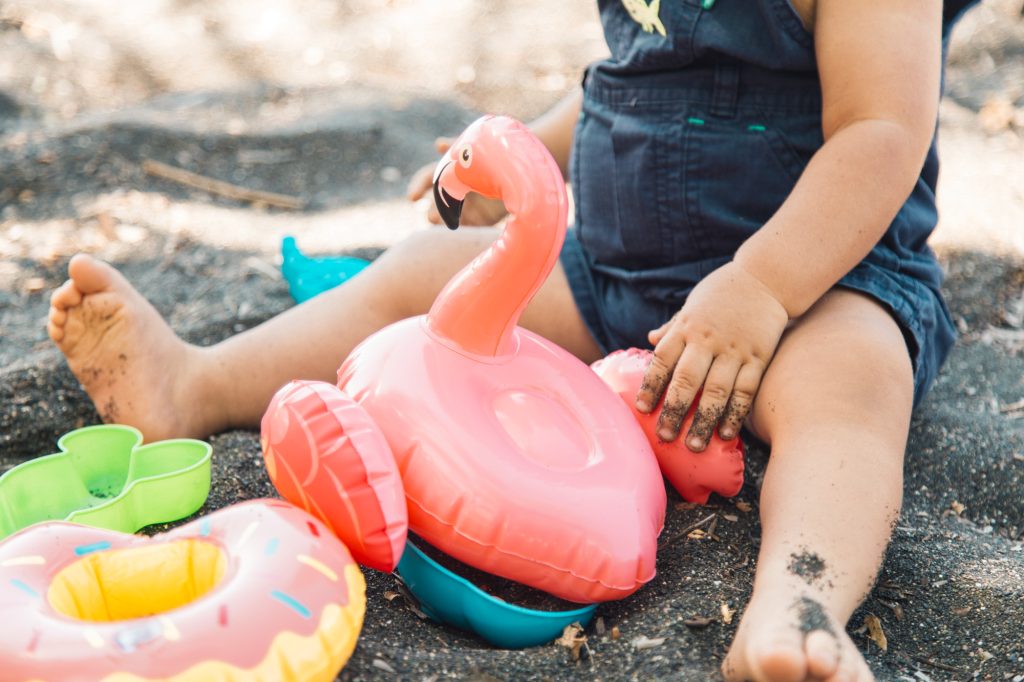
column 516, row 457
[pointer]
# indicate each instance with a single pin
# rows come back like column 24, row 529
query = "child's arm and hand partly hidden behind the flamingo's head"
column 554, row 129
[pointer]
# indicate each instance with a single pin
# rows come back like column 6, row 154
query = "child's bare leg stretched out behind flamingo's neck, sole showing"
column 138, row 372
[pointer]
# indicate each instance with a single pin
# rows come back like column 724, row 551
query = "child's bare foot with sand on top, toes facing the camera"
column 787, row 635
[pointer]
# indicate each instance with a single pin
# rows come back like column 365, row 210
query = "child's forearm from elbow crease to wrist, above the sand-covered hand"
column 841, row 207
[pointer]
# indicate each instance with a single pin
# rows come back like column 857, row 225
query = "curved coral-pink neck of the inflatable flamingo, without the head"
column 479, row 310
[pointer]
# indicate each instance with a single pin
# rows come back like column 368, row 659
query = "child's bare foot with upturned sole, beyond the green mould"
column 133, row 366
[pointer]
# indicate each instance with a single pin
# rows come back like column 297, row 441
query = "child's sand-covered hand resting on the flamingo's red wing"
column 722, row 339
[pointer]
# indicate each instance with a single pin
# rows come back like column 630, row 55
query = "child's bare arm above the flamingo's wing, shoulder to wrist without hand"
column 880, row 64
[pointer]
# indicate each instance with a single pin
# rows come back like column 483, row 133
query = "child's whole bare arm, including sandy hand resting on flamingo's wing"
column 880, row 64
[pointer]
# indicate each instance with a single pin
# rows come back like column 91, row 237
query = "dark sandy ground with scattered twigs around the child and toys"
column 336, row 104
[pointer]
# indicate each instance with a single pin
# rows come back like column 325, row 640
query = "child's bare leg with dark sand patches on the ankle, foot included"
column 835, row 405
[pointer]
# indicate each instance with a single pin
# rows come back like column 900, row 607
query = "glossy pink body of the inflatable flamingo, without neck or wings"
column 528, row 467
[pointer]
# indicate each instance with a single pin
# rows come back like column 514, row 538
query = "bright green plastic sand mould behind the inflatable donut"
column 106, row 478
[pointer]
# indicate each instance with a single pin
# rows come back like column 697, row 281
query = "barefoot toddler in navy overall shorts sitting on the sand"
column 755, row 185
